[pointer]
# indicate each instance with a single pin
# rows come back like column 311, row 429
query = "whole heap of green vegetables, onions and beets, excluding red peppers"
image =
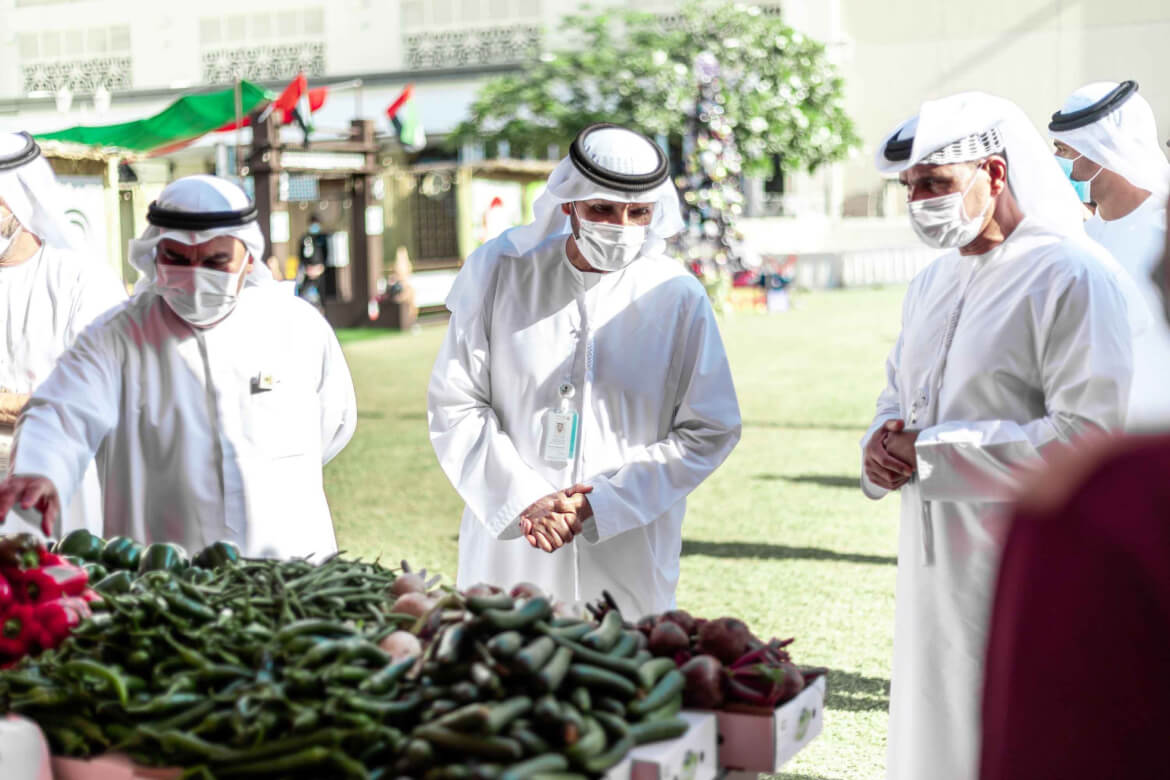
column 235, row 667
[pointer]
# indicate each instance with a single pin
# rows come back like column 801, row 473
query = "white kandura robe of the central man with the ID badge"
column 658, row 415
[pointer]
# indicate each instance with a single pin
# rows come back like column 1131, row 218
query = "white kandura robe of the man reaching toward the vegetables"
column 192, row 450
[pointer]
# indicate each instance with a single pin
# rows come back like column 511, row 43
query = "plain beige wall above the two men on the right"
column 899, row 53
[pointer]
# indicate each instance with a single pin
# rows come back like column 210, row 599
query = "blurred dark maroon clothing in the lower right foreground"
column 1078, row 677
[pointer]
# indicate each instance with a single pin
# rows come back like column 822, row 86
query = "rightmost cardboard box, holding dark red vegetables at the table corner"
column 755, row 743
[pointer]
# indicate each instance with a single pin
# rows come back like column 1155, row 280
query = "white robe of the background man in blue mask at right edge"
column 1138, row 241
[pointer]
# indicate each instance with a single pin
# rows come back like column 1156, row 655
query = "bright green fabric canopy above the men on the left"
column 176, row 126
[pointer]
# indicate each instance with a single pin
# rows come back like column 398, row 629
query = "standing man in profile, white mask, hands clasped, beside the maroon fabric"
column 1014, row 342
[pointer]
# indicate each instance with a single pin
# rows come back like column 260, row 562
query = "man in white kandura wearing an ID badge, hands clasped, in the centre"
column 583, row 391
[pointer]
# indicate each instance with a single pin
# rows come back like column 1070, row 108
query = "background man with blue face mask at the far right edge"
column 1107, row 132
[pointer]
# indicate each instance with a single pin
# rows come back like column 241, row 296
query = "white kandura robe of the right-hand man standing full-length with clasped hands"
column 1040, row 353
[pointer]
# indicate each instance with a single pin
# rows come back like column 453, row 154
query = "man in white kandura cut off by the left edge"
column 50, row 293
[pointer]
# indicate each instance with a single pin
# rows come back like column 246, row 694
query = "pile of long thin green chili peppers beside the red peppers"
column 254, row 671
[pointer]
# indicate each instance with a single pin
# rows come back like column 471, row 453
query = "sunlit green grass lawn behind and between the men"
column 781, row 536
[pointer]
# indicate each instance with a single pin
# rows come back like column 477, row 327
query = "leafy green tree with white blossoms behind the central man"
column 777, row 95
